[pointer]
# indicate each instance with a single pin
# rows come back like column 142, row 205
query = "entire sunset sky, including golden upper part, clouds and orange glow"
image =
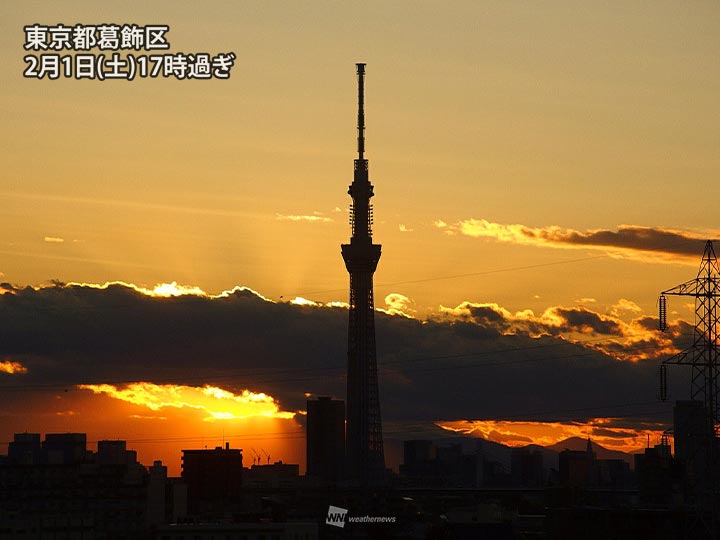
column 542, row 171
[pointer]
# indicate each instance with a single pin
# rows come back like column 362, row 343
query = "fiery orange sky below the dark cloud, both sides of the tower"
column 161, row 421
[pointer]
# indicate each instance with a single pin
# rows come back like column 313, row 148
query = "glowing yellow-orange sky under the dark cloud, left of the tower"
column 162, row 428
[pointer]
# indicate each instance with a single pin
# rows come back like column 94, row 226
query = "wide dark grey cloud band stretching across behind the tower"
column 480, row 366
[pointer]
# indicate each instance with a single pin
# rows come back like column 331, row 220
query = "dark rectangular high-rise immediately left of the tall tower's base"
column 326, row 438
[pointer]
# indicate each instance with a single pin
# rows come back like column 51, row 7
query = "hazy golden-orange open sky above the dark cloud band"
column 578, row 117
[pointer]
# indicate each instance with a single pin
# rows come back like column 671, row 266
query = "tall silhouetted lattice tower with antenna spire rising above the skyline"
column 365, row 456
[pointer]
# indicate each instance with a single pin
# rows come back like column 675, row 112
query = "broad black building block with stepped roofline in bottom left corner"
column 67, row 493
